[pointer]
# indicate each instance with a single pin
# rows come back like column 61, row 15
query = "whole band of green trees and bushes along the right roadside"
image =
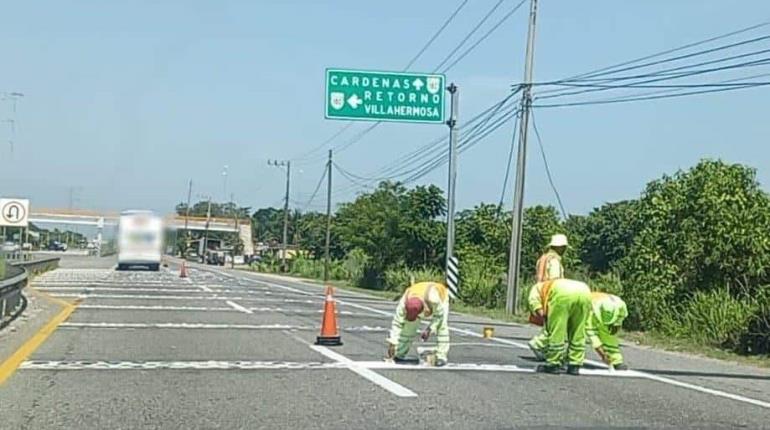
column 690, row 255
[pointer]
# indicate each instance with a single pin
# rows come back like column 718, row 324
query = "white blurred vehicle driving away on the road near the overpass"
column 140, row 239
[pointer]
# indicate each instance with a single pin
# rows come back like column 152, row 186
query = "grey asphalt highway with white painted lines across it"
column 228, row 349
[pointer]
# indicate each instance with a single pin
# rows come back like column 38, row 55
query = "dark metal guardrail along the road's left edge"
column 12, row 301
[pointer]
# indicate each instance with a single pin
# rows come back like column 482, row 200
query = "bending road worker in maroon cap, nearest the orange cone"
column 420, row 301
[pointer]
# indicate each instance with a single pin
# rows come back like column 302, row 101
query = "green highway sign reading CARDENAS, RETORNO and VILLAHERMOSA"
column 384, row 96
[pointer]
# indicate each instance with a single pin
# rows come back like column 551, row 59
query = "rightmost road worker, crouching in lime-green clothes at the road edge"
column 607, row 315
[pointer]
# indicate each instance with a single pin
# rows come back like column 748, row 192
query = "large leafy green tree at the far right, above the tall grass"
column 699, row 230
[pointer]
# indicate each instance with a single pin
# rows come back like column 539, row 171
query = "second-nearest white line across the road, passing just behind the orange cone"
column 211, row 326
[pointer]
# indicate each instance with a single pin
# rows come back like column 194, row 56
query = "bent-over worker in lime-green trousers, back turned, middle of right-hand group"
column 563, row 305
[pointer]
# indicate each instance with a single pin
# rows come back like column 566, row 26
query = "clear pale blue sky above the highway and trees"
column 127, row 101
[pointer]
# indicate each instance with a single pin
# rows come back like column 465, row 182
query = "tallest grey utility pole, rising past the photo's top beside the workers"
column 514, row 261
